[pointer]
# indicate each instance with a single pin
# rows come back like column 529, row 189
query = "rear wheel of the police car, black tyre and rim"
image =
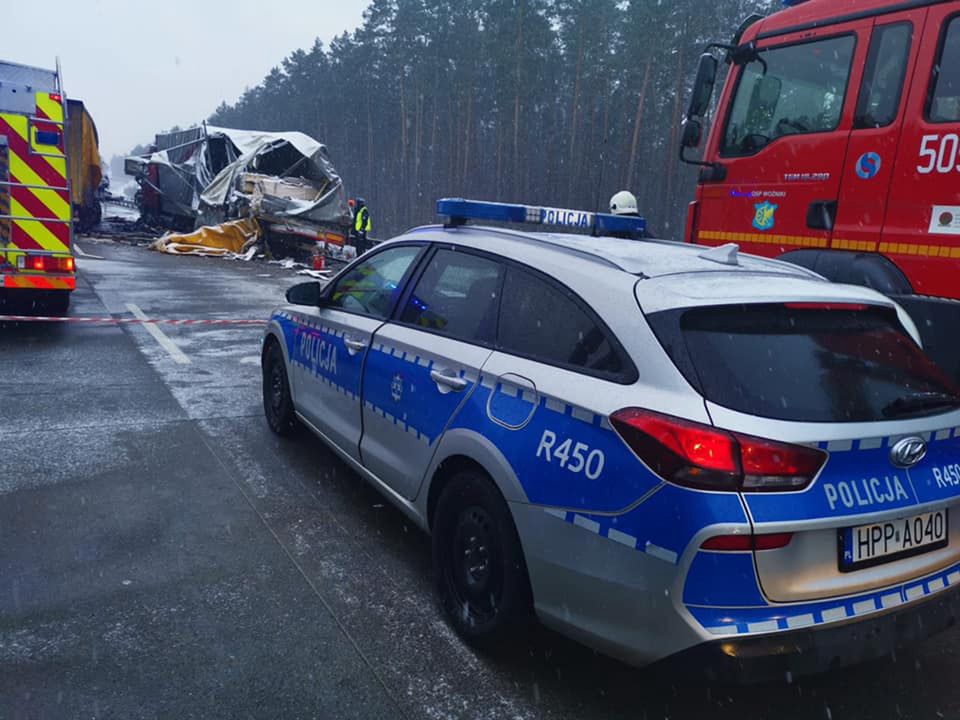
column 479, row 570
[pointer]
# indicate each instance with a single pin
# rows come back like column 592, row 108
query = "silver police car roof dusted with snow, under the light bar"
column 643, row 258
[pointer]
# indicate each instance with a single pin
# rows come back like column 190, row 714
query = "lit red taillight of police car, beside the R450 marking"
column 699, row 456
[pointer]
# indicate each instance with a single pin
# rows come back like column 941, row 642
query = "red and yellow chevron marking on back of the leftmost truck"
column 39, row 201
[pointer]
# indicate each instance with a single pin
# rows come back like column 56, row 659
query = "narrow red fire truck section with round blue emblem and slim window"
column 877, row 125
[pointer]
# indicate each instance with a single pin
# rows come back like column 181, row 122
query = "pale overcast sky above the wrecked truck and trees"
column 142, row 67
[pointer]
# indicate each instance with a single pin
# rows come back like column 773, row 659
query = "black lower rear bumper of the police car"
column 814, row 650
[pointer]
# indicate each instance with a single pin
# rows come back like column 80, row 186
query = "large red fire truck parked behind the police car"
column 836, row 144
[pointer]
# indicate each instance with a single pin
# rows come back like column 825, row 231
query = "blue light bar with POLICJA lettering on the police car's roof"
column 460, row 211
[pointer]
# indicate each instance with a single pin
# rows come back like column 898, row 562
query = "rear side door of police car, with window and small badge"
column 424, row 366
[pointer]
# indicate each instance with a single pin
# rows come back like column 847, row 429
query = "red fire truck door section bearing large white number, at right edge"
column 921, row 232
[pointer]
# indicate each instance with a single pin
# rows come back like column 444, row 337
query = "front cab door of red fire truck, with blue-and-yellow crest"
column 784, row 141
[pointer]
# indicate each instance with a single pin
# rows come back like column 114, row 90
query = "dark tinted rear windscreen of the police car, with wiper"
column 805, row 363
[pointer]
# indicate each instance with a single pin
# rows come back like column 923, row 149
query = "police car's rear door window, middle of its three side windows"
column 457, row 295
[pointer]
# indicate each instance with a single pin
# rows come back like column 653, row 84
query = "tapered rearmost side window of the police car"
column 539, row 321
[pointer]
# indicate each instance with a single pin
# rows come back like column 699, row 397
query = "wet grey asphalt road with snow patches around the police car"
column 162, row 555
